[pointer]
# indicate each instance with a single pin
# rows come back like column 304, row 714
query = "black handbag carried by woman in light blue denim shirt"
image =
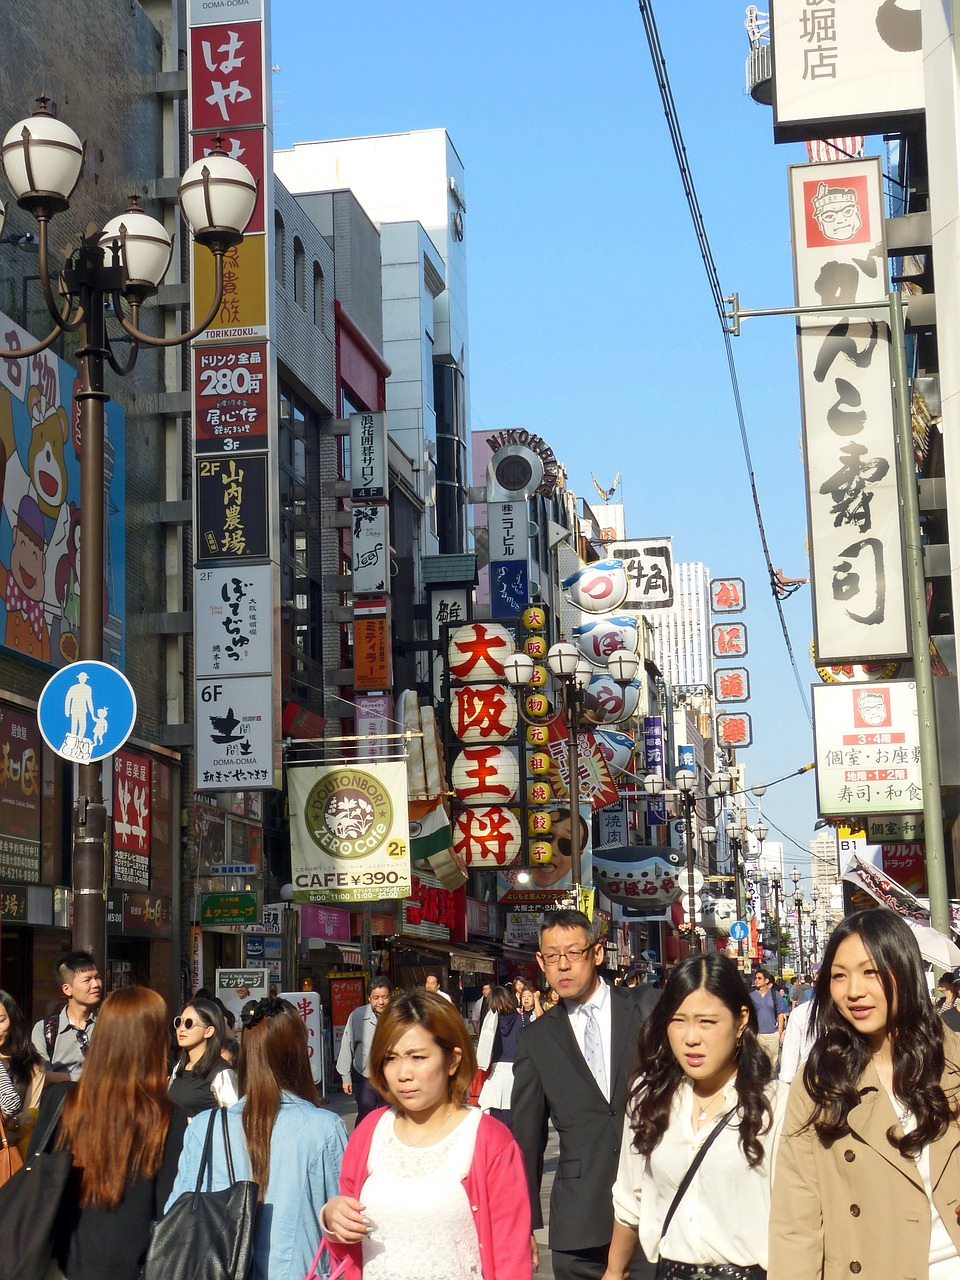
column 207, row 1236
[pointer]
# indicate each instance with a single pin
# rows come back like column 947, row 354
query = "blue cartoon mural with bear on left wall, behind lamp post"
column 40, row 525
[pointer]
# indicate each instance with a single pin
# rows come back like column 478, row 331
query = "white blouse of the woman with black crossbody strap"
column 705, row 1228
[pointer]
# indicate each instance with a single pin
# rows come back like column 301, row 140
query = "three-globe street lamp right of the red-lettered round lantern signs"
column 574, row 674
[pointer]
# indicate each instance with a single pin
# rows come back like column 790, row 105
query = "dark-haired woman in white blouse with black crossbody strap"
column 703, row 1080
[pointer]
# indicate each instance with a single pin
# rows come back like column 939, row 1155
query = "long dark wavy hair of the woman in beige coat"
column 840, row 1054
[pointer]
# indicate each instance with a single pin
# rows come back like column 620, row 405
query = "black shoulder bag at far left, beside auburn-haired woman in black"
column 30, row 1204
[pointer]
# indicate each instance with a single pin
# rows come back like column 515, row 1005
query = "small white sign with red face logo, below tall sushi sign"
column 868, row 749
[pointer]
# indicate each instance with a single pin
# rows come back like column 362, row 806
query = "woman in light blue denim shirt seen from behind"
column 281, row 1137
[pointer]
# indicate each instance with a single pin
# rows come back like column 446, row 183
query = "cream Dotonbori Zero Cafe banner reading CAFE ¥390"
column 350, row 839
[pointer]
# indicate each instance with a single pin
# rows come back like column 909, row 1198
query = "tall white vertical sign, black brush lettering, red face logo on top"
column 857, row 547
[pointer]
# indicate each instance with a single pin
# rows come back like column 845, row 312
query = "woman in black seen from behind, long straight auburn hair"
column 125, row 1136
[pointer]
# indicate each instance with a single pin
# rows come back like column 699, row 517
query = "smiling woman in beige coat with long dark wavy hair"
column 867, row 1177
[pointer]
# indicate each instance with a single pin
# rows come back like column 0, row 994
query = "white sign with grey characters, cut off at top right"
column 840, row 68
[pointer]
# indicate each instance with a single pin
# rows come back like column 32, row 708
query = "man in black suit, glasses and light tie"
column 574, row 1067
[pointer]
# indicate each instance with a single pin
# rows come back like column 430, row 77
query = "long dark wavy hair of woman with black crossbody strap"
column 660, row 1073
